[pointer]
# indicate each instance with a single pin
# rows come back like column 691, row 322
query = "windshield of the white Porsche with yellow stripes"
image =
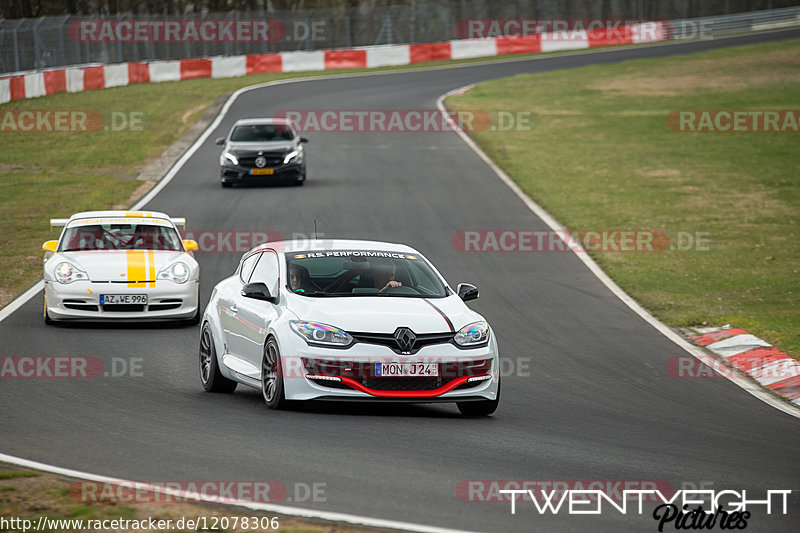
column 114, row 236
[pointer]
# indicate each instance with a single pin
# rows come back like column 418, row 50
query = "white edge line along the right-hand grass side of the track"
column 662, row 328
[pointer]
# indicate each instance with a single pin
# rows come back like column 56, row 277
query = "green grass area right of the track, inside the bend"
column 602, row 157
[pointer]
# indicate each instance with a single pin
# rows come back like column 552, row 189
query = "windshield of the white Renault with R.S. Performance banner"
column 362, row 273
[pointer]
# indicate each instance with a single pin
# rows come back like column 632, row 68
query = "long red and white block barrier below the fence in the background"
column 20, row 86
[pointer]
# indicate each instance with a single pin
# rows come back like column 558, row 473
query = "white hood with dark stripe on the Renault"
column 384, row 314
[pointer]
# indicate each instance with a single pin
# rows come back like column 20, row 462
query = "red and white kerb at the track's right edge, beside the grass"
column 768, row 366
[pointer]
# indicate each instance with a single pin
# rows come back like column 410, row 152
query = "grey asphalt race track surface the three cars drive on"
column 597, row 405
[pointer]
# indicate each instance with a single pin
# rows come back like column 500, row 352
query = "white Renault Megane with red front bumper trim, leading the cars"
column 347, row 320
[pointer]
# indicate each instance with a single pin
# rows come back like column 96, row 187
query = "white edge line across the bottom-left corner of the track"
column 256, row 506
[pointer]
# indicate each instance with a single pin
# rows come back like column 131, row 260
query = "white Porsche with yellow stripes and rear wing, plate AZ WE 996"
column 120, row 265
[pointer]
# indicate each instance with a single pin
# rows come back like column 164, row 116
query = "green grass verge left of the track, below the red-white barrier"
column 47, row 175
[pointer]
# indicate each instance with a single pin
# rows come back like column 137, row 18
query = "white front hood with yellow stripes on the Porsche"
column 120, row 265
